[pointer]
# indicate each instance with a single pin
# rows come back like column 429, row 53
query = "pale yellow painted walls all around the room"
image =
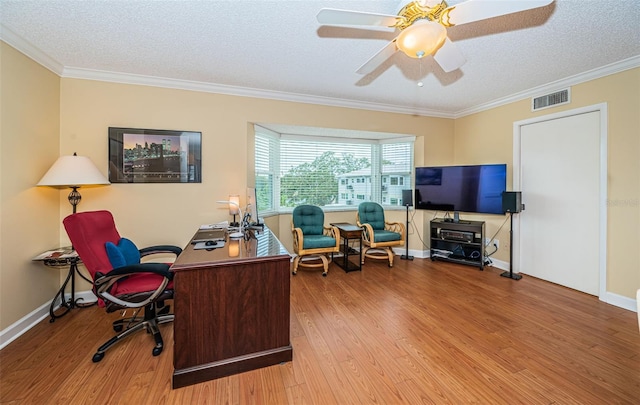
column 44, row 116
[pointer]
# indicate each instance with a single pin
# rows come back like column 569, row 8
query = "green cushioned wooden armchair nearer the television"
column 378, row 236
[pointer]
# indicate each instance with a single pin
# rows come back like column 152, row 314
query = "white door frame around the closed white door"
column 517, row 145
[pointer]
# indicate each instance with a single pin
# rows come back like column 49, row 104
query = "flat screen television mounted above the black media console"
column 471, row 188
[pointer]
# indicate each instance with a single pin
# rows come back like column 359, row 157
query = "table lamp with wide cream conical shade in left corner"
column 74, row 172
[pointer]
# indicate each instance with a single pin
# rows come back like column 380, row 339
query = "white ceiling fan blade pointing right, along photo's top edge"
column 476, row 10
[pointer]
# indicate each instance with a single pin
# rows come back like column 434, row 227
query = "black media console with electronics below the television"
column 458, row 242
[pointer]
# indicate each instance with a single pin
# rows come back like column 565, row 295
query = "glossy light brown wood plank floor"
column 421, row 332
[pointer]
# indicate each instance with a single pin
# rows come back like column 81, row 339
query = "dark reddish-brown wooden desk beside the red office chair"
column 231, row 313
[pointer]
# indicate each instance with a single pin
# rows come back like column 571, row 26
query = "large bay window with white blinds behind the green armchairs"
column 330, row 171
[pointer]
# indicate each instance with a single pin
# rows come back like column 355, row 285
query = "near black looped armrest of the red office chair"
column 104, row 282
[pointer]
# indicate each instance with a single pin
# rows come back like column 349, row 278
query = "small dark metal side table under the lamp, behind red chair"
column 63, row 257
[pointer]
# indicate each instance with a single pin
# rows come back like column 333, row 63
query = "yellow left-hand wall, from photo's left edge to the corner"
column 29, row 216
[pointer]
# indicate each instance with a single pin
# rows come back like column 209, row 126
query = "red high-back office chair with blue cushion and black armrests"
column 120, row 281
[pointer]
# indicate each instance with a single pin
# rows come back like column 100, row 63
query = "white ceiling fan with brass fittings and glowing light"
column 423, row 27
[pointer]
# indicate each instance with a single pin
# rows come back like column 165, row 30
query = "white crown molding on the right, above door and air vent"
column 616, row 67
